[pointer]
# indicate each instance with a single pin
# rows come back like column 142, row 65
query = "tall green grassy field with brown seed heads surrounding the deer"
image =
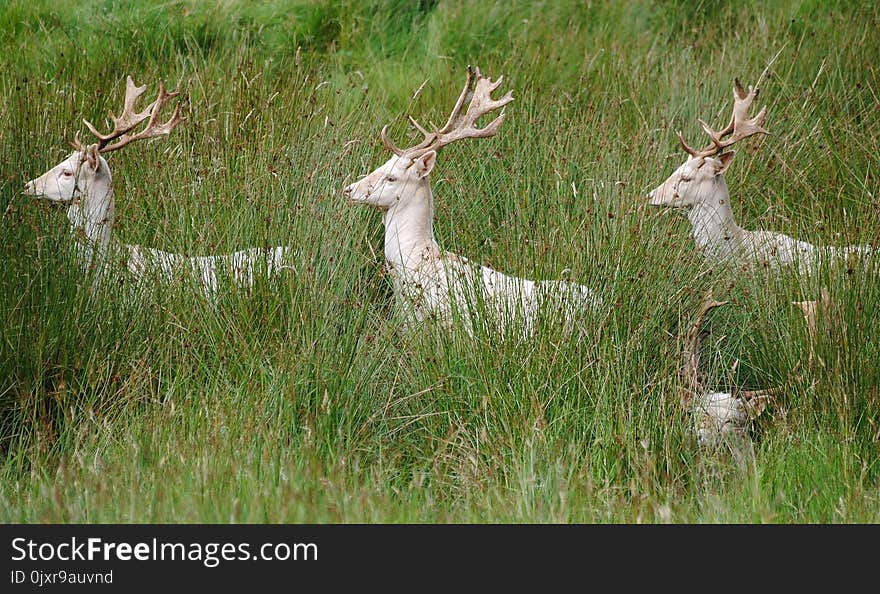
column 301, row 401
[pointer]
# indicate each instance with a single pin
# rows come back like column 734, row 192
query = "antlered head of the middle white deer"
column 409, row 168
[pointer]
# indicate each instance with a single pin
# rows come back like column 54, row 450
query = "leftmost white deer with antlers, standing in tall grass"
column 83, row 181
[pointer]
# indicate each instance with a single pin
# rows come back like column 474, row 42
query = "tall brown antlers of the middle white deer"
column 477, row 95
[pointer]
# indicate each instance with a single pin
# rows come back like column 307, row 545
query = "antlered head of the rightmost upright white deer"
column 696, row 178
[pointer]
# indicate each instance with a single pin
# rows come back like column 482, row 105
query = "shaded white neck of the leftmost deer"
column 91, row 220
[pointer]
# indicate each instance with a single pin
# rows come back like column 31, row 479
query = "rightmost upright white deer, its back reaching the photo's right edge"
column 698, row 185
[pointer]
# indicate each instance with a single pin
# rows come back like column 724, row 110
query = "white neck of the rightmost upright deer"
column 712, row 223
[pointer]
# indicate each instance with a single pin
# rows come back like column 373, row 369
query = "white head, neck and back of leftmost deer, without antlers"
column 84, row 182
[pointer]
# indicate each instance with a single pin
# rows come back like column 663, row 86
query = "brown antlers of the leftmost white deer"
column 130, row 119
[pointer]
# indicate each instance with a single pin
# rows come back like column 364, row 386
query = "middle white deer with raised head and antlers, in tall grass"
column 430, row 283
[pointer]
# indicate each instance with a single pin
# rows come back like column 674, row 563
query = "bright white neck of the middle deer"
column 409, row 229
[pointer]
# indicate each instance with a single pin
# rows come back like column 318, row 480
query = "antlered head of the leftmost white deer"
column 70, row 180
